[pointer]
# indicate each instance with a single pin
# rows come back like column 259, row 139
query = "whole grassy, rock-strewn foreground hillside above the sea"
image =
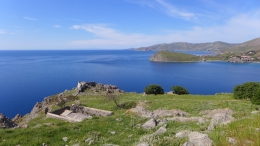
column 213, row 119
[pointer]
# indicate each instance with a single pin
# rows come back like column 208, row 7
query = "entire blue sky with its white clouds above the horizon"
column 122, row 24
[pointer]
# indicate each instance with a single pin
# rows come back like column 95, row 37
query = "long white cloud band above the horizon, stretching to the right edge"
column 238, row 29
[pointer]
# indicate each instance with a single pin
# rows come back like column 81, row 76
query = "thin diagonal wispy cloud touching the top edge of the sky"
column 167, row 8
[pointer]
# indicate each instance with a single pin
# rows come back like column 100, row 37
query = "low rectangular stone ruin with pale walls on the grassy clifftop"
column 77, row 113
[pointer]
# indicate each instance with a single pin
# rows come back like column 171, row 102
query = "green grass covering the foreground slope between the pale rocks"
column 127, row 131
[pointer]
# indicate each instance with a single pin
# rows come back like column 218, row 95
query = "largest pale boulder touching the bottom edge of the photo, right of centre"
column 199, row 139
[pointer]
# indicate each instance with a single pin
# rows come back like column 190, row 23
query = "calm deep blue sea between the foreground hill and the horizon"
column 28, row 76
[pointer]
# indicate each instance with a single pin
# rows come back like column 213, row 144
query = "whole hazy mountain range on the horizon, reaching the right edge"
column 217, row 46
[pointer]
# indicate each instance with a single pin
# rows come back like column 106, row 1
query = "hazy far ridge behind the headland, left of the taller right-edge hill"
column 183, row 46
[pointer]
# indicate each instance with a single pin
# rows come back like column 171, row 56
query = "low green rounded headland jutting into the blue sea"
column 166, row 56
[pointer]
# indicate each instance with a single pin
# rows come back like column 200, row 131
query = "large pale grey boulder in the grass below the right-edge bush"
column 220, row 119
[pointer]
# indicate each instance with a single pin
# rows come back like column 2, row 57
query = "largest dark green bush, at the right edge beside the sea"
column 245, row 90
